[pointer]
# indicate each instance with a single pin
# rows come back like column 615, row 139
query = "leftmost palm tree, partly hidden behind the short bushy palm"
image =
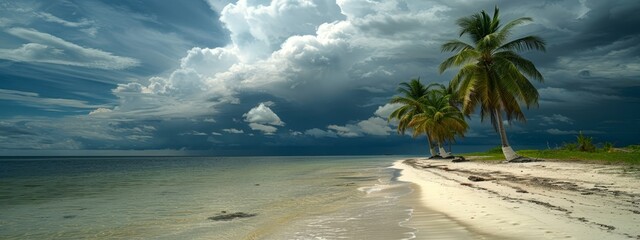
column 411, row 93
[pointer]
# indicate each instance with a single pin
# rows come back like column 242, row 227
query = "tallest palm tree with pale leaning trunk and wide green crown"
column 492, row 74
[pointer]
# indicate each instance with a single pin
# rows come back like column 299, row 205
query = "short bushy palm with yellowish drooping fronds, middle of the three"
column 442, row 120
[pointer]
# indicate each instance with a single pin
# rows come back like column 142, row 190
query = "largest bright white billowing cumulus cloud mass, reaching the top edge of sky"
column 333, row 48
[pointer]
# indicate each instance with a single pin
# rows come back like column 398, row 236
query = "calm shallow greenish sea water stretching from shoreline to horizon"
column 341, row 197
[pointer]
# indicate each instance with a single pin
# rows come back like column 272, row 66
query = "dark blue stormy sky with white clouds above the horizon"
column 290, row 77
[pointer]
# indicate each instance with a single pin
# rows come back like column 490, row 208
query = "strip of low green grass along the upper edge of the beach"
column 629, row 155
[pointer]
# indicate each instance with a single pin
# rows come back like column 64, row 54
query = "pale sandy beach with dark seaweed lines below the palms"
column 539, row 200
